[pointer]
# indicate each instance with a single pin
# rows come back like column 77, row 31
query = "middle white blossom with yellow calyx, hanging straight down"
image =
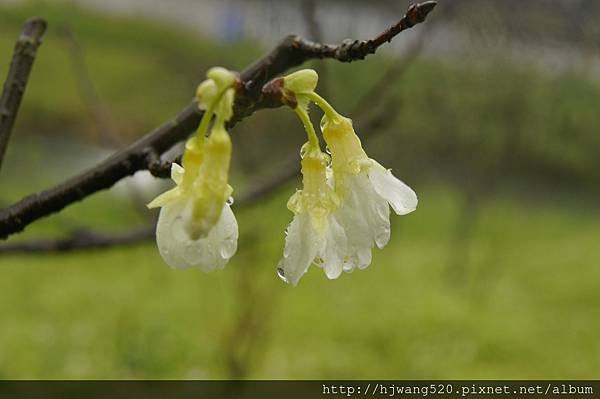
column 314, row 235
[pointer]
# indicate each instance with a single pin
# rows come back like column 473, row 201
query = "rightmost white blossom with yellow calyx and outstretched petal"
column 365, row 189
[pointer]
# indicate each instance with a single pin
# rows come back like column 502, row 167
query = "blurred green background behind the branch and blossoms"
column 489, row 110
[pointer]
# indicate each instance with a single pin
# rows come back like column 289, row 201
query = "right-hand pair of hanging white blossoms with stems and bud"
column 352, row 215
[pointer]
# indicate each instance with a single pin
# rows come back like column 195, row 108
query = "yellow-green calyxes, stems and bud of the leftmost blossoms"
column 205, row 161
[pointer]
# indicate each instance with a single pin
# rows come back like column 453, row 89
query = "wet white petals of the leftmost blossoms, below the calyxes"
column 175, row 244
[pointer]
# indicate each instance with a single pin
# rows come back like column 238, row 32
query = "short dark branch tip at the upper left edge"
column 18, row 75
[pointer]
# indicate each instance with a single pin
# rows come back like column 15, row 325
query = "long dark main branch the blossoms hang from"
column 291, row 52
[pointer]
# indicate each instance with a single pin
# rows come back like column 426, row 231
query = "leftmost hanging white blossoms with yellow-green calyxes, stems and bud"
column 196, row 226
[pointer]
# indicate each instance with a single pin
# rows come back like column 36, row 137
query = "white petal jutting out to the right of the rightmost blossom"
column 401, row 197
